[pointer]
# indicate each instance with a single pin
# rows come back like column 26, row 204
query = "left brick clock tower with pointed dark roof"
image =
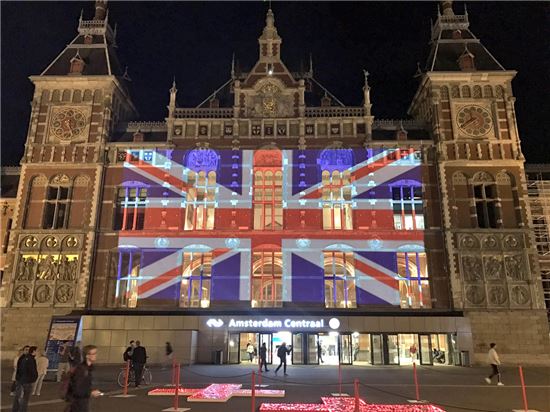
column 78, row 100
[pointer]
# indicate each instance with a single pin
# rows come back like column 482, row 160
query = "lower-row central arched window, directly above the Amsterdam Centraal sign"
column 267, row 279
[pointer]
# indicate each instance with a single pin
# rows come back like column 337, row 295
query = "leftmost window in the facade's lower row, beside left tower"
column 128, row 264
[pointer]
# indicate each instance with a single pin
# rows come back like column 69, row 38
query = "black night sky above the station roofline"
column 195, row 40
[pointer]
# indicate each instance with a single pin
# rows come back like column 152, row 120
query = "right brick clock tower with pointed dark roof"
column 466, row 97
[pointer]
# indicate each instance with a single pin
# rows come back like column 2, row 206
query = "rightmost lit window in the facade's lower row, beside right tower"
column 414, row 286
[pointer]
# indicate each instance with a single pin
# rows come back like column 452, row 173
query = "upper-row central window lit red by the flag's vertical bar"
column 268, row 190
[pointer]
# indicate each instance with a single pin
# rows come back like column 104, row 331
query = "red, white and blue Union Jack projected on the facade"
column 338, row 227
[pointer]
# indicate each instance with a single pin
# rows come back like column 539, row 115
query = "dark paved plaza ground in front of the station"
column 454, row 389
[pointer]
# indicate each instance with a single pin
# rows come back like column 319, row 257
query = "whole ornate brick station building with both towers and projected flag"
column 279, row 216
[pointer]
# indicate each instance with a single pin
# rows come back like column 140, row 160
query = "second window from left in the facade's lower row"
column 195, row 282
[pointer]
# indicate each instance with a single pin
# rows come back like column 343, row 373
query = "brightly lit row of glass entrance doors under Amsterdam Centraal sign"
column 333, row 348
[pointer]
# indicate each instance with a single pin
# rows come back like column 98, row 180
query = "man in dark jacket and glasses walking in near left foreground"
column 80, row 390
